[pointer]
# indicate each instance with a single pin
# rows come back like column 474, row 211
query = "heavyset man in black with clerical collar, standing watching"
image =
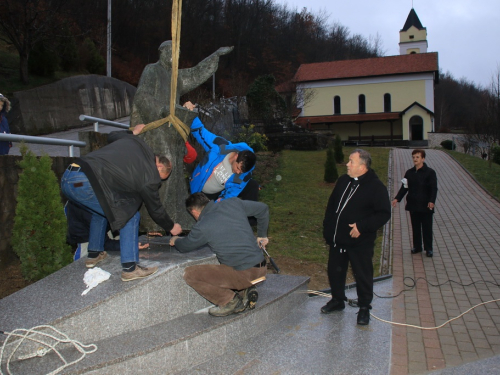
column 358, row 206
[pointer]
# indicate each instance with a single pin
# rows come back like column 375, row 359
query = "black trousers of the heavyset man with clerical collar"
column 362, row 266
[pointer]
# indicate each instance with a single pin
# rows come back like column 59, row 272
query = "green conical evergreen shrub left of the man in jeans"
column 39, row 234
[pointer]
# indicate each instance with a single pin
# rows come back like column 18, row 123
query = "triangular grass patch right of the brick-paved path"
column 485, row 173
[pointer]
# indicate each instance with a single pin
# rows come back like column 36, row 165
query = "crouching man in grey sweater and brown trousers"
column 224, row 227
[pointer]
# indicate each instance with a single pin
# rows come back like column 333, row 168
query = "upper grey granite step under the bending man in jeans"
column 112, row 307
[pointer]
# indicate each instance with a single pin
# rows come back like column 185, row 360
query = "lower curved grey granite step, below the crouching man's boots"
column 184, row 341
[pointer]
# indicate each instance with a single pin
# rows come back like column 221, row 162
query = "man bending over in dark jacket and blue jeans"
column 112, row 183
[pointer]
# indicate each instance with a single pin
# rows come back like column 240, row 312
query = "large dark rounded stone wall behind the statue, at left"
column 56, row 107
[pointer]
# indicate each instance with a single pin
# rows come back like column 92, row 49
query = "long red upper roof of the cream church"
column 372, row 67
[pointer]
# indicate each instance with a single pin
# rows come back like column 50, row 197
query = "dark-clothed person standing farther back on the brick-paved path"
column 420, row 183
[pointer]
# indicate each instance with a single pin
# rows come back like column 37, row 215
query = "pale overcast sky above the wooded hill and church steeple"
column 465, row 33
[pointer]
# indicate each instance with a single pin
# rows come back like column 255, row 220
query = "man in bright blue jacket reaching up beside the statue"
column 226, row 169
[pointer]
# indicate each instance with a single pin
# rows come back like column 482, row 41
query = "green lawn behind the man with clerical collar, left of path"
column 297, row 197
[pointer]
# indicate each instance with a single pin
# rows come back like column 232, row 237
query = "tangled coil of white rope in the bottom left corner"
column 31, row 335
